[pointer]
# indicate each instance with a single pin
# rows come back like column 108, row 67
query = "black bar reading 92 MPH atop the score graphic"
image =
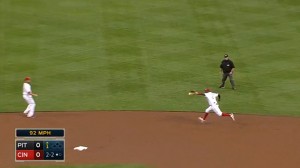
column 40, row 132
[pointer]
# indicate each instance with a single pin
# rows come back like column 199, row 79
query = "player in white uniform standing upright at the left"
column 27, row 95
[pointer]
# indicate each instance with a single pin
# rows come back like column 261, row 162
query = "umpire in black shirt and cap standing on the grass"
column 227, row 69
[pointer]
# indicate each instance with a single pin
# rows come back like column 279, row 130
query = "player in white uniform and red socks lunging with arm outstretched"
column 213, row 104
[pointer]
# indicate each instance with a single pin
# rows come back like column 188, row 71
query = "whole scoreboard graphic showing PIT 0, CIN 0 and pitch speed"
column 36, row 144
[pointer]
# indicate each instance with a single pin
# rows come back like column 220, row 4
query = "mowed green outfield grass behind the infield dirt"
column 146, row 55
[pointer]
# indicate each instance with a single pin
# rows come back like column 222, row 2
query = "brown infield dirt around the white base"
column 163, row 139
